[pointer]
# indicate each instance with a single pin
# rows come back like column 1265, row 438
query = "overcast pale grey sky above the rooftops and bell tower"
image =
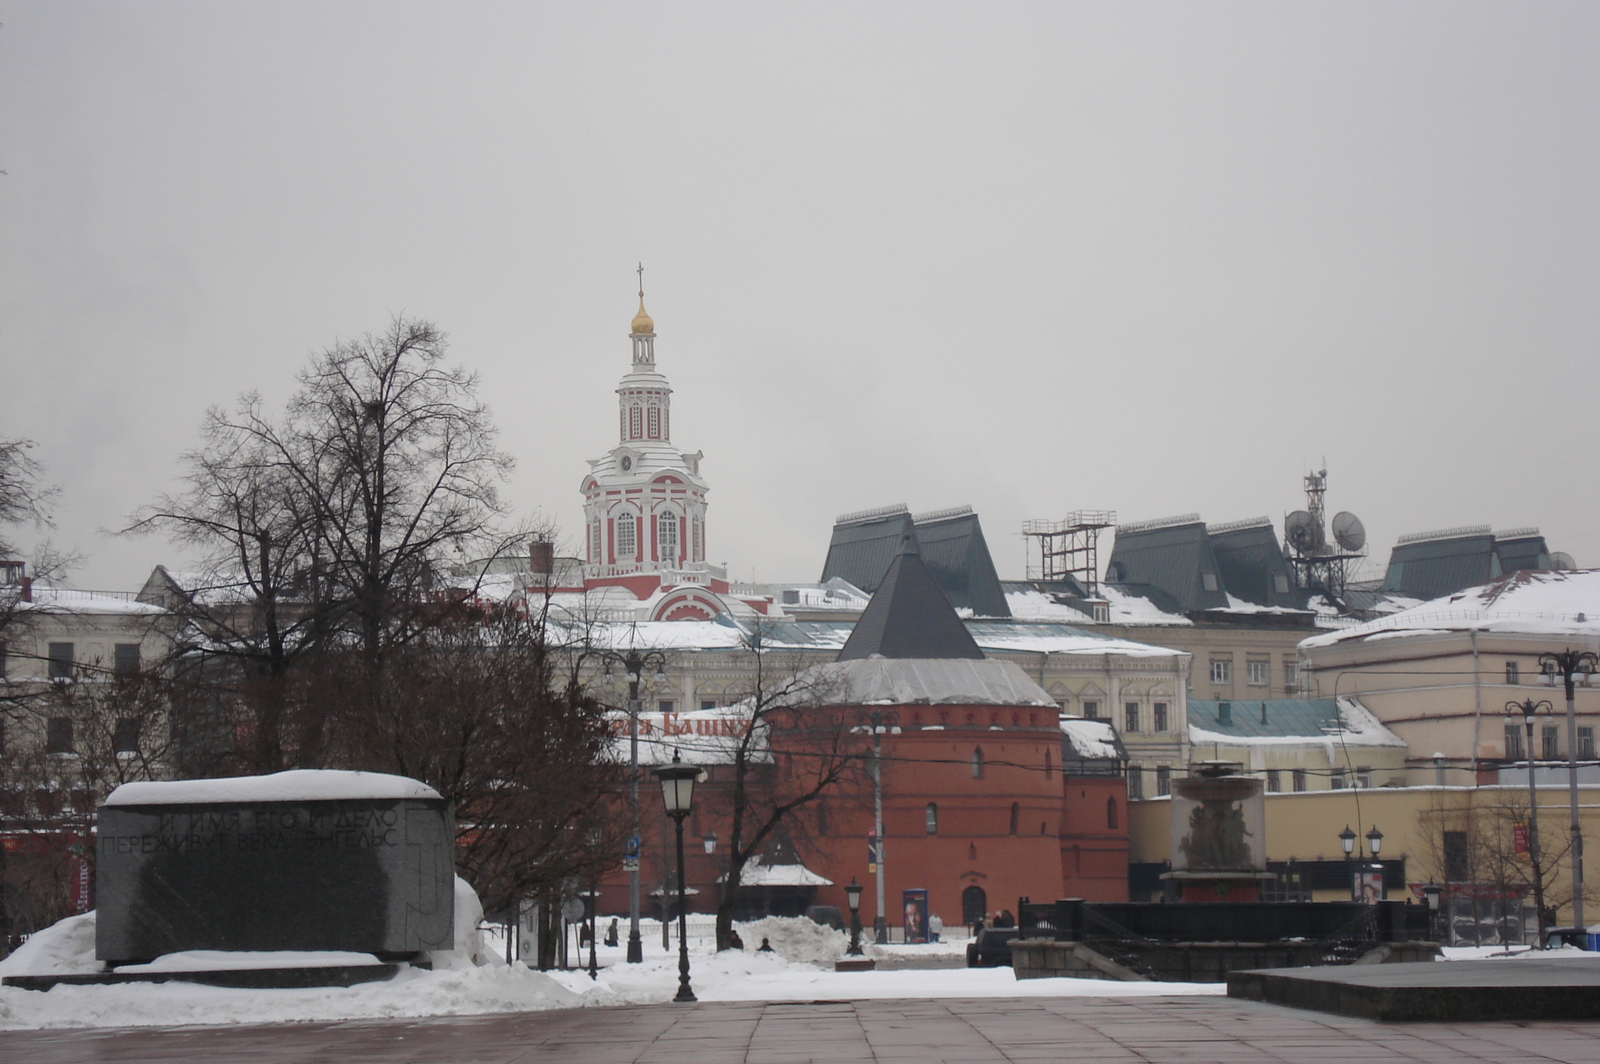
column 1033, row 257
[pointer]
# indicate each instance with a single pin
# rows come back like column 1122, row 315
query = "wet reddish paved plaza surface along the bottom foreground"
column 982, row 1031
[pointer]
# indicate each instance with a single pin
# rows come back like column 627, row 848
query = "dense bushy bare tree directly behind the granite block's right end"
column 487, row 711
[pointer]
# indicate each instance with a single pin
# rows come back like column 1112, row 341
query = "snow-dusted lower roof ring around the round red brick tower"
column 930, row 682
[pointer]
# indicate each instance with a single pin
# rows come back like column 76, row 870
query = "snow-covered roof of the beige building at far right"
column 1564, row 602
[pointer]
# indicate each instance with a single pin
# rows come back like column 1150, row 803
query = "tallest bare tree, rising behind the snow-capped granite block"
column 330, row 526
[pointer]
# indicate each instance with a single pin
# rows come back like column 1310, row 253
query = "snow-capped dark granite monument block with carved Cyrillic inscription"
column 294, row 862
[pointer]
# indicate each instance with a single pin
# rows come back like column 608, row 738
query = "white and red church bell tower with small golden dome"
column 646, row 505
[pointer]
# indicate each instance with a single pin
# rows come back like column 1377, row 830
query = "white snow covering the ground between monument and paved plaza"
column 801, row 969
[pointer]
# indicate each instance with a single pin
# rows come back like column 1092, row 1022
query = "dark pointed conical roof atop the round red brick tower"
column 910, row 617
